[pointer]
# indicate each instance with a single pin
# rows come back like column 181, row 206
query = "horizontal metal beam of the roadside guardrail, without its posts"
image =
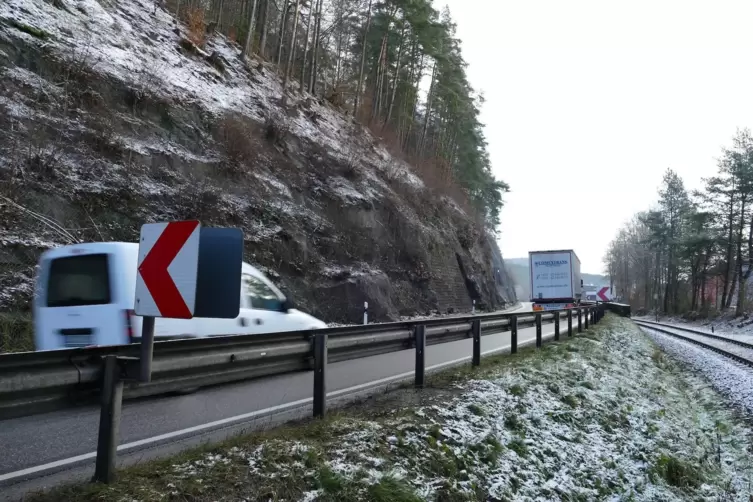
column 34, row 382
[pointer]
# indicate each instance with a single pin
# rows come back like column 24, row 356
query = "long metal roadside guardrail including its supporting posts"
column 34, row 382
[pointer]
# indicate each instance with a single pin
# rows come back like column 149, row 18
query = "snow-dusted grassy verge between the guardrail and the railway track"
column 603, row 416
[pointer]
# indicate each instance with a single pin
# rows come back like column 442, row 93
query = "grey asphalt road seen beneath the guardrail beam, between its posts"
column 32, row 447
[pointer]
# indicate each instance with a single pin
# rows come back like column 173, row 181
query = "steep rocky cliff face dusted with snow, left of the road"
column 110, row 118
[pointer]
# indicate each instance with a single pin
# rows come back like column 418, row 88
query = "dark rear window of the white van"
column 79, row 280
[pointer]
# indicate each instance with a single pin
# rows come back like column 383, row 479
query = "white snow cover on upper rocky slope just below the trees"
column 132, row 42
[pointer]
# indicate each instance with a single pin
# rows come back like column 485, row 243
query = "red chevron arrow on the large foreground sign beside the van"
column 155, row 275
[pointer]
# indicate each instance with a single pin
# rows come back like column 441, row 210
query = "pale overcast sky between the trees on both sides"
column 589, row 102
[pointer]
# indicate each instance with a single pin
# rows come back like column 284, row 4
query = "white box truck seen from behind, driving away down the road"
column 555, row 279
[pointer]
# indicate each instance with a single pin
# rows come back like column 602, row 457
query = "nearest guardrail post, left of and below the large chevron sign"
column 109, row 421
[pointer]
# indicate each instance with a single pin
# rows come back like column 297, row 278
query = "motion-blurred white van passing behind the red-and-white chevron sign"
column 85, row 295
